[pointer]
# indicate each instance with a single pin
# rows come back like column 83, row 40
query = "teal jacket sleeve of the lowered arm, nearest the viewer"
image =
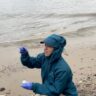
column 54, row 89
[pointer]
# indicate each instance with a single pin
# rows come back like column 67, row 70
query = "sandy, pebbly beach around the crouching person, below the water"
column 80, row 53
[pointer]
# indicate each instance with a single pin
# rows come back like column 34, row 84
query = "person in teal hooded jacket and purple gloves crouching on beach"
column 55, row 72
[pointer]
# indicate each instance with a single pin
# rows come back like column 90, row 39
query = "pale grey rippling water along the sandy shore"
column 26, row 19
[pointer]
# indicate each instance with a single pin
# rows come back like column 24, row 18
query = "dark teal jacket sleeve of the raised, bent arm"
column 32, row 62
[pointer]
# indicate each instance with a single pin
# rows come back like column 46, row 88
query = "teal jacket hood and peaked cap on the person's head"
column 58, row 43
